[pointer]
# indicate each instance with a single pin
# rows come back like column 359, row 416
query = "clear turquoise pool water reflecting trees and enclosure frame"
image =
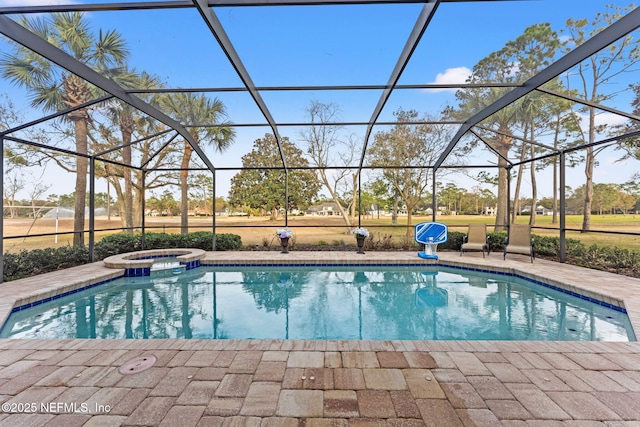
column 355, row 303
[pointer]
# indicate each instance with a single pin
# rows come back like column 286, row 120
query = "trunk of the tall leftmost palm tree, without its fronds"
column 82, row 164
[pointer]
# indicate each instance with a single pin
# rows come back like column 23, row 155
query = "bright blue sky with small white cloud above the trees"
column 324, row 45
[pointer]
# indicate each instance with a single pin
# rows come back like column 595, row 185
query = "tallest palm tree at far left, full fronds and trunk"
column 54, row 89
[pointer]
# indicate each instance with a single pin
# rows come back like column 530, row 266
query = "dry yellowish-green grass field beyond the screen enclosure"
column 317, row 230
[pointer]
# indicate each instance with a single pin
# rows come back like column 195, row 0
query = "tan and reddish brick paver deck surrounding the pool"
column 268, row 383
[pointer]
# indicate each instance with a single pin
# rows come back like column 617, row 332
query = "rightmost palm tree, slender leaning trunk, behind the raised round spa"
column 197, row 110
